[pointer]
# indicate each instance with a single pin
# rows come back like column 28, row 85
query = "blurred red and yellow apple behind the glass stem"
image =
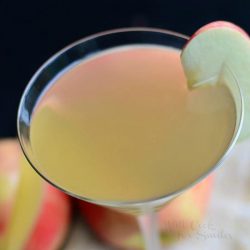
column 176, row 219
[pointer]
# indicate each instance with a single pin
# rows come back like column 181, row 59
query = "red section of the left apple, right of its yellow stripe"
column 52, row 222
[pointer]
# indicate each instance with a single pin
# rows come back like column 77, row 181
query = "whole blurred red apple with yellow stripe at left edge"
column 33, row 214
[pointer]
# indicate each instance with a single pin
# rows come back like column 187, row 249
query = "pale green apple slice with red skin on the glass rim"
column 213, row 47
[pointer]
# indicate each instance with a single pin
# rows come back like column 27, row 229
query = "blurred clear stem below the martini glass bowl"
column 148, row 223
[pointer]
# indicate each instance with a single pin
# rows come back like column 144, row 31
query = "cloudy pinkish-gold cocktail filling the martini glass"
column 123, row 126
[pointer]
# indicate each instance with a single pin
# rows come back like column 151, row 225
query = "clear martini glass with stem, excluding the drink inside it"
column 39, row 84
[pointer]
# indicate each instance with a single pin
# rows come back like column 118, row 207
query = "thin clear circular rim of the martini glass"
column 125, row 204
